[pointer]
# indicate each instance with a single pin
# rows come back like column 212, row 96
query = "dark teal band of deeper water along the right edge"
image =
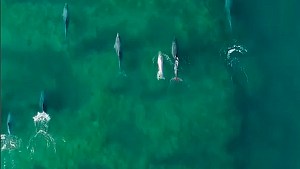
column 269, row 136
